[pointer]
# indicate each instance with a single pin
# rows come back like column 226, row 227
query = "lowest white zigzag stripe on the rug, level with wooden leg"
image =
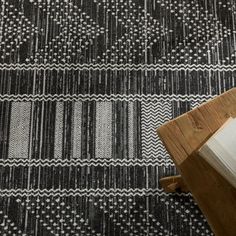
column 87, row 192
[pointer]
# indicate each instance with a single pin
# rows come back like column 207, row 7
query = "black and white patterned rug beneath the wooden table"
column 83, row 86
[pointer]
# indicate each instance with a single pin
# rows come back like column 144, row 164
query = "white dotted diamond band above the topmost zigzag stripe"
column 118, row 32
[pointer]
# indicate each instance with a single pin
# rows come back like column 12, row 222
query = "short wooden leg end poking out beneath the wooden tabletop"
column 172, row 184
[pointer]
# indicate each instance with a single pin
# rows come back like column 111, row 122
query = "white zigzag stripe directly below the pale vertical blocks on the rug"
column 85, row 162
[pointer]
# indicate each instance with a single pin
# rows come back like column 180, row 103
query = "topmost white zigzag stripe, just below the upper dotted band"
column 109, row 66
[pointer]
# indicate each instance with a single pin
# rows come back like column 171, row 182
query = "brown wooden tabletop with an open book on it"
column 182, row 137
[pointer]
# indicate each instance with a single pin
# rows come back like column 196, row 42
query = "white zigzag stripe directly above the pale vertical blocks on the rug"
column 112, row 97
